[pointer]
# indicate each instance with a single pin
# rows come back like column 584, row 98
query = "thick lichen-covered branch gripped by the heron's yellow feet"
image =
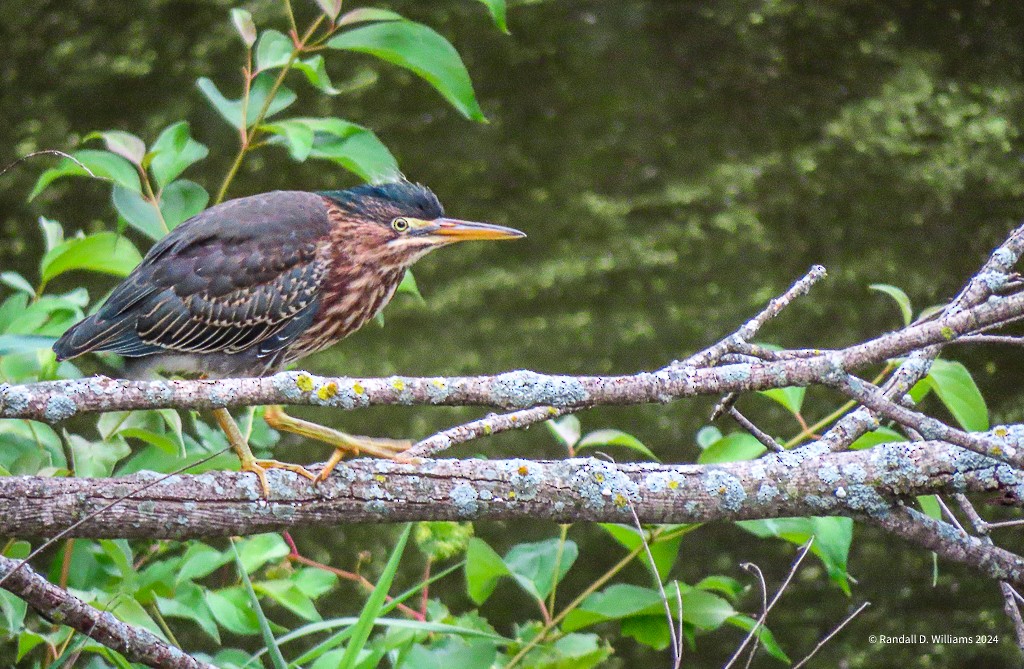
column 863, row 484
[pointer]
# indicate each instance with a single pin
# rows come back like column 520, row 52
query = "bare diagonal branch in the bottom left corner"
column 59, row 606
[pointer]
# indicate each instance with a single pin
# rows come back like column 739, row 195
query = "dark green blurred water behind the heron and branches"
column 675, row 165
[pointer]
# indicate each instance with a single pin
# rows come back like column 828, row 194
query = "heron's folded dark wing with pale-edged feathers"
column 244, row 274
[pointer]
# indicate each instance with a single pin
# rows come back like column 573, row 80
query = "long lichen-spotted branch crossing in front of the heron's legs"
column 56, row 401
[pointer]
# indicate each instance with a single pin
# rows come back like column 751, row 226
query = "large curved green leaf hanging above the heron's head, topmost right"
column 421, row 51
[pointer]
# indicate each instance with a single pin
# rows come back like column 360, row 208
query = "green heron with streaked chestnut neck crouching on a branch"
column 251, row 285
